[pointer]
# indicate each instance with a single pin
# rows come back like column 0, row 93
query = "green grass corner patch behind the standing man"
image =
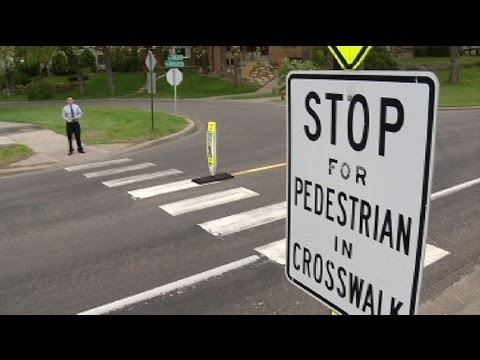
column 102, row 125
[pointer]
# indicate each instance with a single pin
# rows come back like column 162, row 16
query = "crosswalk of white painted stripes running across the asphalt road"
column 221, row 227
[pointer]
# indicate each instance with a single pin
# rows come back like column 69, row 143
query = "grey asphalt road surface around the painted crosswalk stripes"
column 69, row 243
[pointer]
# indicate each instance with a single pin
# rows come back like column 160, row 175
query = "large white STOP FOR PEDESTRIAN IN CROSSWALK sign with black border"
column 360, row 155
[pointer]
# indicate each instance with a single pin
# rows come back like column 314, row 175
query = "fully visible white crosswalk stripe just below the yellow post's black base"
column 206, row 201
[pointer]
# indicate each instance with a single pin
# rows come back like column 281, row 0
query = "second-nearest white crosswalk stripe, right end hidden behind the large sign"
column 246, row 220
